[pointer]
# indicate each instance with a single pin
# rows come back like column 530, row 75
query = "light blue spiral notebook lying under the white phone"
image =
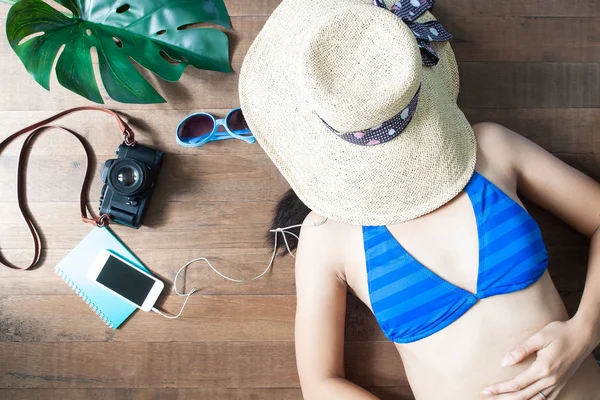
column 74, row 270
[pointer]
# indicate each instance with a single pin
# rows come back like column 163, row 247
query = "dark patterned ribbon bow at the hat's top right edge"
column 425, row 33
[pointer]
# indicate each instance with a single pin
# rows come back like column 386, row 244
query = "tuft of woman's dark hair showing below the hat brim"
column 290, row 210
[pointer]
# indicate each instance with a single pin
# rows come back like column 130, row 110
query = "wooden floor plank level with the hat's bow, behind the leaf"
column 476, row 38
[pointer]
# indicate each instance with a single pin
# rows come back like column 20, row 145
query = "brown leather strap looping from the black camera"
column 35, row 130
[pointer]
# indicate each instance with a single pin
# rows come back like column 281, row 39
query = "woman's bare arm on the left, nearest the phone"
column 320, row 318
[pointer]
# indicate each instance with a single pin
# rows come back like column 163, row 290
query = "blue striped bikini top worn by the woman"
column 410, row 302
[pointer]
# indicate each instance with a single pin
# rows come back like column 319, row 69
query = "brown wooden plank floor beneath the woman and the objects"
column 532, row 65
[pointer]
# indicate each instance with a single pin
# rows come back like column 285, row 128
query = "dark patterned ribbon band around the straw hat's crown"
column 383, row 132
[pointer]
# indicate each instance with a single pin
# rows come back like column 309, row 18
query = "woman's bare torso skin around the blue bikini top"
column 465, row 356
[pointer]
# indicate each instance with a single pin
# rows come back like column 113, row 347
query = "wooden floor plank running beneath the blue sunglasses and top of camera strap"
column 557, row 130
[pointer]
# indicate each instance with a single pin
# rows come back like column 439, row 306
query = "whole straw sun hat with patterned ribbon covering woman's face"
column 337, row 95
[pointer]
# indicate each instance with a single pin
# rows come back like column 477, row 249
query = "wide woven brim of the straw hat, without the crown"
column 423, row 168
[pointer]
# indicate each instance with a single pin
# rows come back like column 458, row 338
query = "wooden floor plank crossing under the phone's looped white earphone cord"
column 568, row 266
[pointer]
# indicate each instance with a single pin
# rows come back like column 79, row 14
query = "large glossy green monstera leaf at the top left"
column 150, row 32
